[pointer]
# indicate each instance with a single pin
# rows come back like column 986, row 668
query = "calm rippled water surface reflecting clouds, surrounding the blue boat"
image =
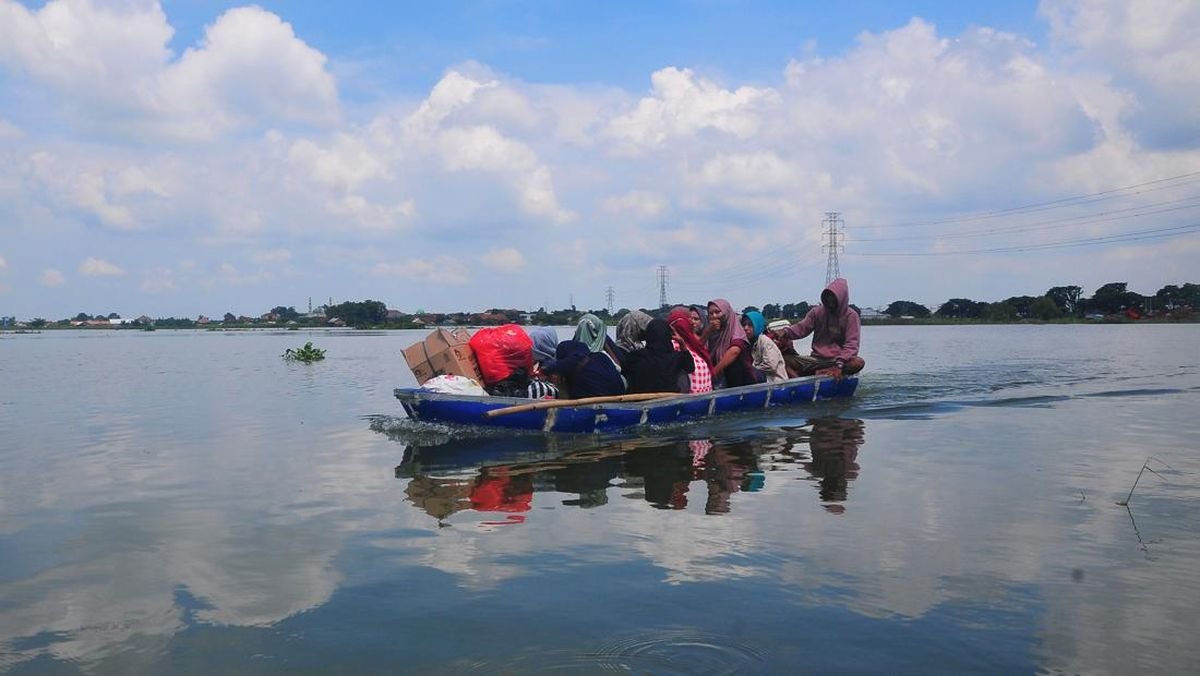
column 188, row 502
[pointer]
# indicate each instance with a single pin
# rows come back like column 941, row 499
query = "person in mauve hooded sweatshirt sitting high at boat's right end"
column 836, row 332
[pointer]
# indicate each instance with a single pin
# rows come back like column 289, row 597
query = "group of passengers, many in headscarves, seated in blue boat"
column 694, row 350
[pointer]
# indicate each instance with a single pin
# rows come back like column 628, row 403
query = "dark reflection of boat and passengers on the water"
column 500, row 477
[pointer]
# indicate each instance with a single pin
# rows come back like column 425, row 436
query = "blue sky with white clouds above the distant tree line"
column 200, row 157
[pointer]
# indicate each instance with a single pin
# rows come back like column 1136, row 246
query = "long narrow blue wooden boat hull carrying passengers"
column 464, row 410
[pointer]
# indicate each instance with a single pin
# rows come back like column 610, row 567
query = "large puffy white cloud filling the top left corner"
column 111, row 67
